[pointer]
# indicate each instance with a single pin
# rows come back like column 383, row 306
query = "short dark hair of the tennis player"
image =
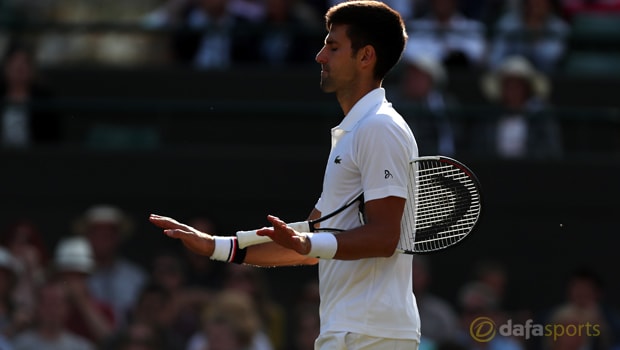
column 372, row 23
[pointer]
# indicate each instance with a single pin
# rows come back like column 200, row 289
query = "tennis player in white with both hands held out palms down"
column 365, row 287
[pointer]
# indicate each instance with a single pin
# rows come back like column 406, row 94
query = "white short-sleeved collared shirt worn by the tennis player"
column 371, row 150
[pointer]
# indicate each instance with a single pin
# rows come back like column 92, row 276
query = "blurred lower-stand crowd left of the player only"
column 82, row 292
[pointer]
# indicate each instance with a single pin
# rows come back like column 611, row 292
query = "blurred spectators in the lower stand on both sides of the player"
column 82, row 292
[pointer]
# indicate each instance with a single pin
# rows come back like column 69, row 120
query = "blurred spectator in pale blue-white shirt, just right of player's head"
column 448, row 36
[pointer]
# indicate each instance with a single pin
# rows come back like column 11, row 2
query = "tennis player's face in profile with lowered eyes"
column 338, row 64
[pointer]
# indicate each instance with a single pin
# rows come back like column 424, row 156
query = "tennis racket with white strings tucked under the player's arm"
column 442, row 208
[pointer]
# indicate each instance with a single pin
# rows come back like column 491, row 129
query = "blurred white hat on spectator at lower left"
column 74, row 254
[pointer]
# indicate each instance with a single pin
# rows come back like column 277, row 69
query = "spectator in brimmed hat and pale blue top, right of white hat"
column 115, row 279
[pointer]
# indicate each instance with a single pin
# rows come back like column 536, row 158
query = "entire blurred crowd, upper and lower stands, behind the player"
column 81, row 292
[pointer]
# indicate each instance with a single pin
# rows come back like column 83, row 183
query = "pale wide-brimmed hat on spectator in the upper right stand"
column 515, row 66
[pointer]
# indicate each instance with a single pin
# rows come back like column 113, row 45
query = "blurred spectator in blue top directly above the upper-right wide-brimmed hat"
column 534, row 31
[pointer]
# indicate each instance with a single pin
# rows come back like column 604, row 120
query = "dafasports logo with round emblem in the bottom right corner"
column 484, row 329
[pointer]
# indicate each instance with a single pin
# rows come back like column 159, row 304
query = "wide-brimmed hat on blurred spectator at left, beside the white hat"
column 104, row 214
